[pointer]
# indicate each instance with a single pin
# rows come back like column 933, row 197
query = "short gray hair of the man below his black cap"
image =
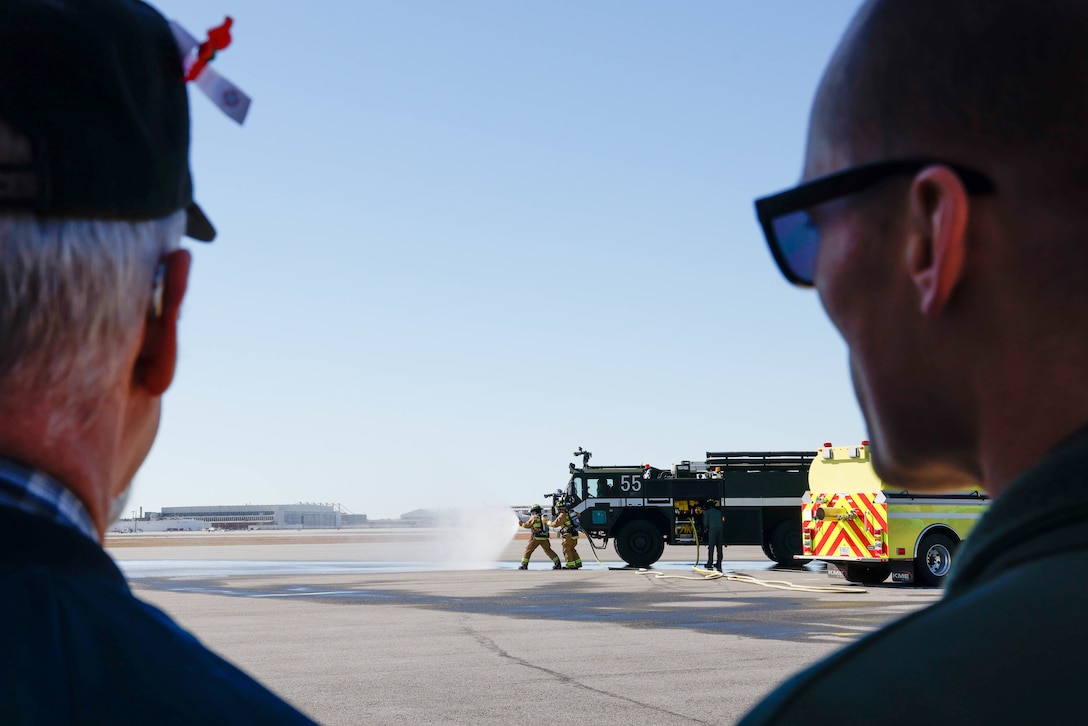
column 73, row 297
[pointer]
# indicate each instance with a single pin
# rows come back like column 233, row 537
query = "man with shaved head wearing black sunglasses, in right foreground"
column 944, row 222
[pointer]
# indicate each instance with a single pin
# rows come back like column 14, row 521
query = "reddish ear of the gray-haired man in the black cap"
column 158, row 356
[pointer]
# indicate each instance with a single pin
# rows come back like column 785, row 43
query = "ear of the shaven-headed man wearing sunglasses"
column 938, row 249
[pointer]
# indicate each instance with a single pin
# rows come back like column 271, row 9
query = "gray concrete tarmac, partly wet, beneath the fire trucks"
column 391, row 645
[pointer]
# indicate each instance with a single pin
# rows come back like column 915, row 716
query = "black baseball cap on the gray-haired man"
column 97, row 88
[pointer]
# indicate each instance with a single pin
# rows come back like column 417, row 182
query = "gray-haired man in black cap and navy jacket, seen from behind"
column 95, row 195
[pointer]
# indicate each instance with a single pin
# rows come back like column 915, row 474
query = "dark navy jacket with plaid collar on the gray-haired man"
column 77, row 647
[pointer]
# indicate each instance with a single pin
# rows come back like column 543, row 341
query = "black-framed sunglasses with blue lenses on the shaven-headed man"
column 794, row 238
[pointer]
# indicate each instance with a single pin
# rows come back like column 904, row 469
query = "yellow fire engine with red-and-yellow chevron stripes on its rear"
column 866, row 530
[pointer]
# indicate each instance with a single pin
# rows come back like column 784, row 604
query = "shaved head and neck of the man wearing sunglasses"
column 963, row 312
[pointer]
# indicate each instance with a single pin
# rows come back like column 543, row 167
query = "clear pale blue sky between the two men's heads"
column 460, row 240
